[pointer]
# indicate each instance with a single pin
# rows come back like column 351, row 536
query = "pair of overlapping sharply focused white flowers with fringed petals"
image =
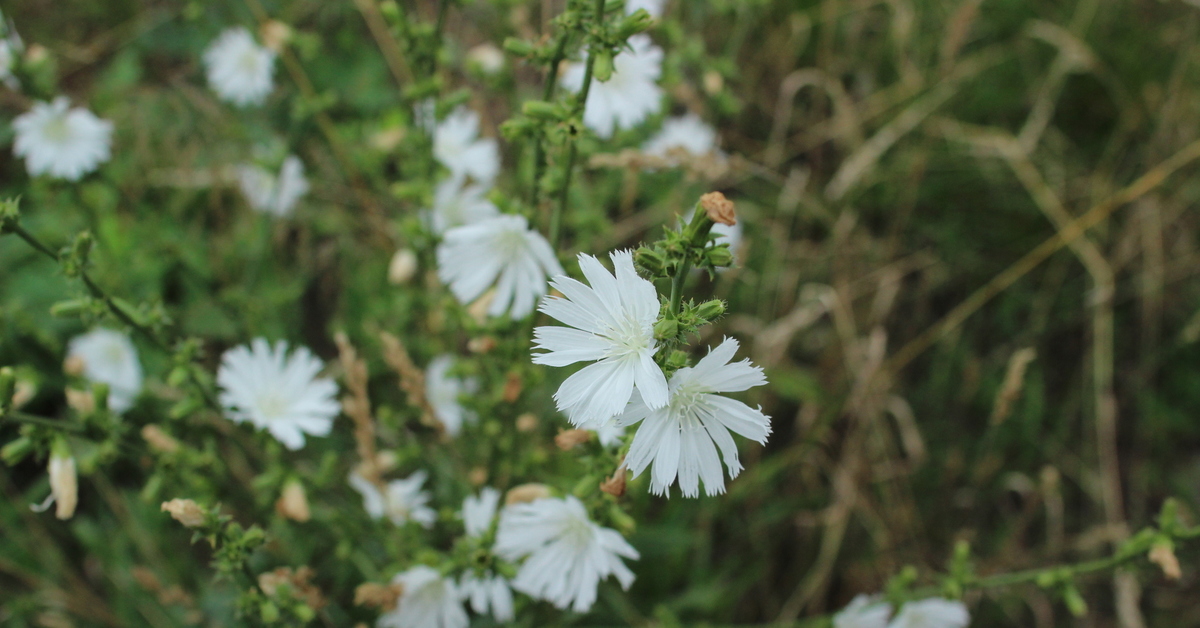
column 686, row 422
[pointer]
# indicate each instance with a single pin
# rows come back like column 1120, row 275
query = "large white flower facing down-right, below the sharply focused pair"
column 567, row 554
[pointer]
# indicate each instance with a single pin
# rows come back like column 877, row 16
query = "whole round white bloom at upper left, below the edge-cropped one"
column 62, row 142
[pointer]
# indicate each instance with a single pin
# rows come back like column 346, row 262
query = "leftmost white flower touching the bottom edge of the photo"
column 429, row 601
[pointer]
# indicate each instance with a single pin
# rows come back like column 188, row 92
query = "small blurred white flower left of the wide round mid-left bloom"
column 110, row 357
